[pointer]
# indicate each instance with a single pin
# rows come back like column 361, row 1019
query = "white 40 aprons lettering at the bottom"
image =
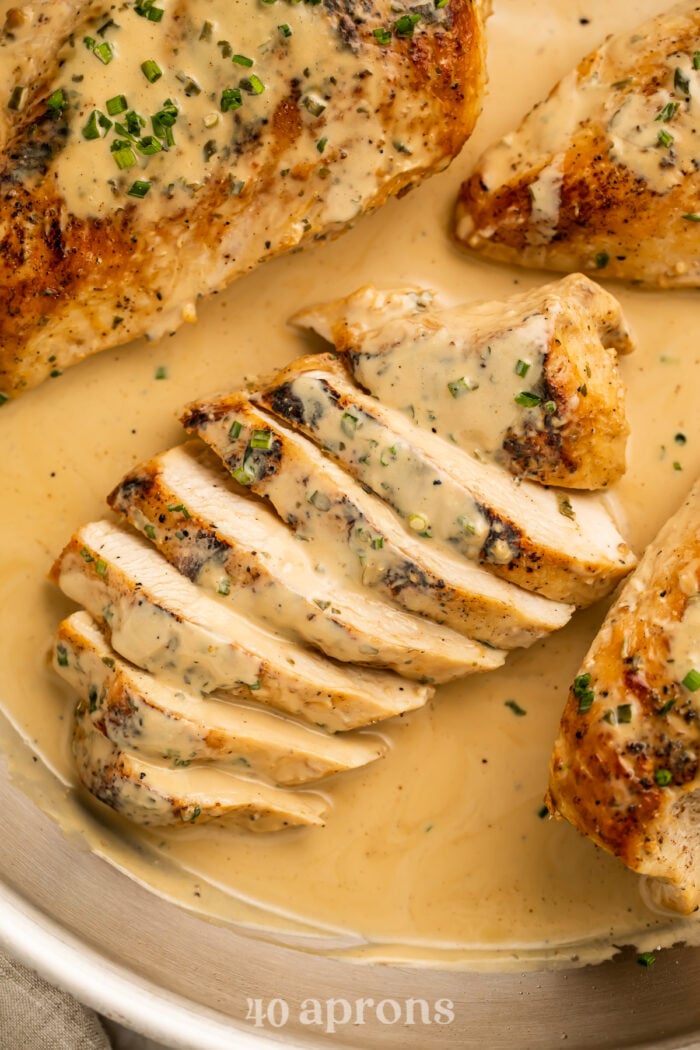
column 330, row 1015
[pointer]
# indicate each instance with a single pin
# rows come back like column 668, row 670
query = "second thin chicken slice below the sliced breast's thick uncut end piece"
column 357, row 533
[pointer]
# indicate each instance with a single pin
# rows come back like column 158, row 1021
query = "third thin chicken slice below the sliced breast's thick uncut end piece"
column 237, row 548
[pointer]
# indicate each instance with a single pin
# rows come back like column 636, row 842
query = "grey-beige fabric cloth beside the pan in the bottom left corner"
column 34, row 1016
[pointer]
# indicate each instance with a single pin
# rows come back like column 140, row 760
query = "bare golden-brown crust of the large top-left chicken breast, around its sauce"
column 73, row 286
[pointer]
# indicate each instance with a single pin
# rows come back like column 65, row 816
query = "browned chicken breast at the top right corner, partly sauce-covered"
column 605, row 175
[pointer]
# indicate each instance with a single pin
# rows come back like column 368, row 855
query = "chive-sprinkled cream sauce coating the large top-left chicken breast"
column 219, row 71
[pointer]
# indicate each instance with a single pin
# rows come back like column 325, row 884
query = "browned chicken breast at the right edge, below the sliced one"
column 626, row 768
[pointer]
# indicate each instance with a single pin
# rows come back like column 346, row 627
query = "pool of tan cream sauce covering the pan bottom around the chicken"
column 436, row 854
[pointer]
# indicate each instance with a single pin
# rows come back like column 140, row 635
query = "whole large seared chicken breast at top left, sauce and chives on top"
column 154, row 152
